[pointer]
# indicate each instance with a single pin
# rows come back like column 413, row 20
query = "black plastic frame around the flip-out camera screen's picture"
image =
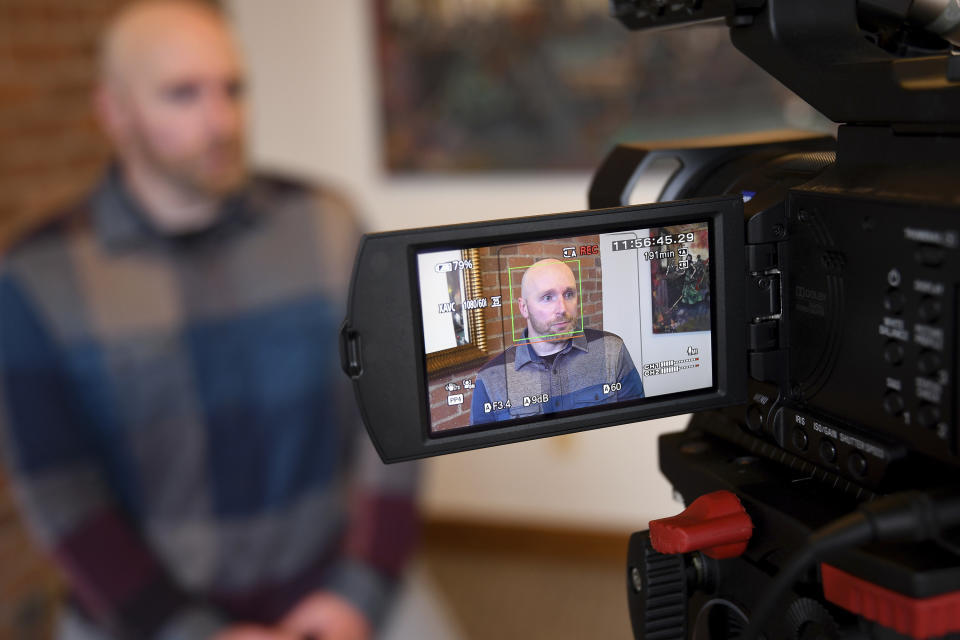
column 391, row 383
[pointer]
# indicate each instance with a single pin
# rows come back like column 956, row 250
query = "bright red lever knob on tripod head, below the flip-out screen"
column 715, row 523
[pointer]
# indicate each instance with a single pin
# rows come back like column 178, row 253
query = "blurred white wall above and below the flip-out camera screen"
column 315, row 115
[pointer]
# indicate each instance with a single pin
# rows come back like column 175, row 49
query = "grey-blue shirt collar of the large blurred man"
column 121, row 222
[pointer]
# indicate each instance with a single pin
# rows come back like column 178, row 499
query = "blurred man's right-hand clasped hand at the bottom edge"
column 326, row 616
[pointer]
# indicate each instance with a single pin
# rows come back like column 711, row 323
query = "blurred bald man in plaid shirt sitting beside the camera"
column 171, row 406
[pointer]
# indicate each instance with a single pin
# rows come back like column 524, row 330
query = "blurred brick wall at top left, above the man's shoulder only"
column 51, row 147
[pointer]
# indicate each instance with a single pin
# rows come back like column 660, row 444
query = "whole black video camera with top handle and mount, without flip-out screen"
column 852, row 393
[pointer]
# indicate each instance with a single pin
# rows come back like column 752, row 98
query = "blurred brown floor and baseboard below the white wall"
column 510, row 591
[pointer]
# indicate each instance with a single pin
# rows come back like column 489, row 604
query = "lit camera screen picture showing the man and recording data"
column 517, row 331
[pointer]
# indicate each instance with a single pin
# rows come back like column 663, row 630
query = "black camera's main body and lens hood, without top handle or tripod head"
column 851, row 291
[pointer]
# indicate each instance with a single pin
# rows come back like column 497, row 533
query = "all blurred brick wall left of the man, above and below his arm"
column 50, row 152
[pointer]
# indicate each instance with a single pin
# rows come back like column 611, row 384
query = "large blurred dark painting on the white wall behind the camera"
column 527, row 85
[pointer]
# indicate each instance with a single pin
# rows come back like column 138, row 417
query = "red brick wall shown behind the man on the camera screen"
column 497, row 265
